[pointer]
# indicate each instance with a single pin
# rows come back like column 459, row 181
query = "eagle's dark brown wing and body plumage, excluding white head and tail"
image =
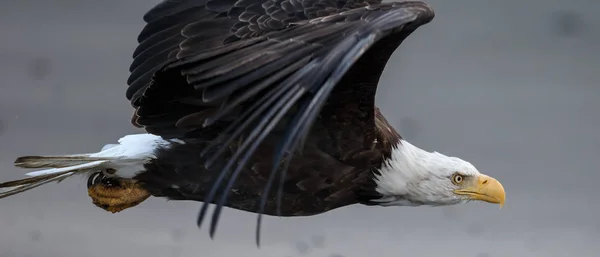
column 214, row 73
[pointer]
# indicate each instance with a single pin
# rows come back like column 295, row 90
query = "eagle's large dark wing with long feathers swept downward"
column 248, row 66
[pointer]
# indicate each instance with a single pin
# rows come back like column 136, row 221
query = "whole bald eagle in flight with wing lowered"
column 266, row 106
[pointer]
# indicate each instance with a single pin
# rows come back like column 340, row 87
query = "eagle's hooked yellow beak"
column 484, row 188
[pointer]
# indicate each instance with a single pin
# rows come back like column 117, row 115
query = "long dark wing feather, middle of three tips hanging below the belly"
column 281, row 108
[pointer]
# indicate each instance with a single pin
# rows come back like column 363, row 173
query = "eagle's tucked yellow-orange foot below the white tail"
column 115, row 194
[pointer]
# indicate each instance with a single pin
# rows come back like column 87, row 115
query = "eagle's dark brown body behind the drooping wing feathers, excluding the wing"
column 323, row 178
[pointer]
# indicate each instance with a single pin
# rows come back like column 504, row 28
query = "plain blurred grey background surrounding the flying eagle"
column 510, row 85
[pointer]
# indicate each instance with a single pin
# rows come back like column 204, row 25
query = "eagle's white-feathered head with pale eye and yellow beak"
column 413, row 176
